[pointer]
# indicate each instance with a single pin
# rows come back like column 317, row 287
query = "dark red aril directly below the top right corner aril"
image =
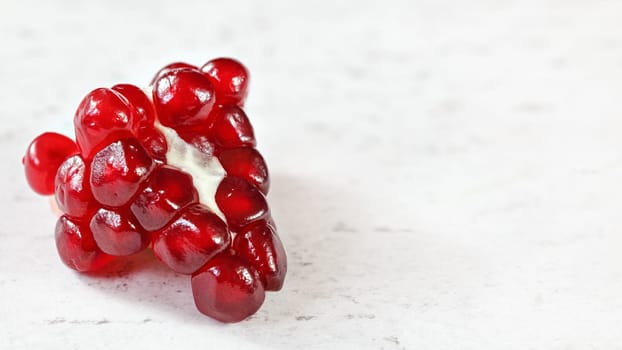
column 230, row 127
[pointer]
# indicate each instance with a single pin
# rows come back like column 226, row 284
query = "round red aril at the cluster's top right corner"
column 230, row 79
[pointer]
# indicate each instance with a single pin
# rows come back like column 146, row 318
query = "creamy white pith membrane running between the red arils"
column 206, row 170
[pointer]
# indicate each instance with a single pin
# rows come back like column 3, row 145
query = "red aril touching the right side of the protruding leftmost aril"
column 73, row 191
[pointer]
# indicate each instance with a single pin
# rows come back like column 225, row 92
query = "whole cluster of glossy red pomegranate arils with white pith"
column 173, row 167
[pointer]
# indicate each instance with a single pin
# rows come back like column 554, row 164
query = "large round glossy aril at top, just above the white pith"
column 183, row 98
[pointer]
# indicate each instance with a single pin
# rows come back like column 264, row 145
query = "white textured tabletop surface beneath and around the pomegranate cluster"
column 446, row 174
